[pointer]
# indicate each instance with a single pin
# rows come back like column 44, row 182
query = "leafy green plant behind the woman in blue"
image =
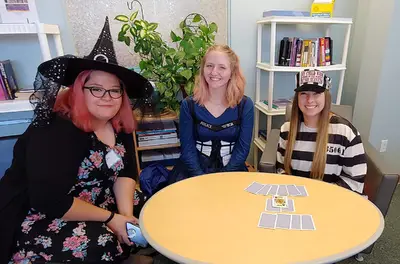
column 172, row 69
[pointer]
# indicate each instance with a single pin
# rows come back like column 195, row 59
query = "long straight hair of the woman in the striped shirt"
column 319, row 158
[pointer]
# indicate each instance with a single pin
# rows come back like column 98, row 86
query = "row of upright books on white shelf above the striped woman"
column 297, row 52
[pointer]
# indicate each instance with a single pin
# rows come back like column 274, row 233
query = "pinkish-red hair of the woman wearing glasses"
column 71, row 103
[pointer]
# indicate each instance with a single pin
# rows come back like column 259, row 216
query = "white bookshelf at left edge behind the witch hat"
column 42, row 31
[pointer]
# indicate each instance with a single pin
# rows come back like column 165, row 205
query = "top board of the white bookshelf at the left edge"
column 12, row 29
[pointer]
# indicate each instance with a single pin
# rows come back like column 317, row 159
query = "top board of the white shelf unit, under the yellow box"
column 304, row 20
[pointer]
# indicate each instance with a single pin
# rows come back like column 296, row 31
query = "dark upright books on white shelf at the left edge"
column 8, row 83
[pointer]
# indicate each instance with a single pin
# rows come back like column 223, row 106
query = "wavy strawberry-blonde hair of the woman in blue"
column 235, row 88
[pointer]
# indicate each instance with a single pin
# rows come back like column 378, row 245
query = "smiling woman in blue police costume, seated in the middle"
column 216, row 124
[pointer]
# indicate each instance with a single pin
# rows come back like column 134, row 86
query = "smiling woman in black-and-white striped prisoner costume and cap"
column 317, row 143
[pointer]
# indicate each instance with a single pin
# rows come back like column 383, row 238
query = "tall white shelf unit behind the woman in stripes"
column 272, row 69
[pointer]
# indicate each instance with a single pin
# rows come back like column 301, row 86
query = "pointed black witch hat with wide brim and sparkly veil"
column 63, row 70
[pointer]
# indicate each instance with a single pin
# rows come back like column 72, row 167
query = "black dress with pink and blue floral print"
column 42, row 239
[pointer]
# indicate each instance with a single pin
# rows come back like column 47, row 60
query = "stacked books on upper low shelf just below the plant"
column 157, row 133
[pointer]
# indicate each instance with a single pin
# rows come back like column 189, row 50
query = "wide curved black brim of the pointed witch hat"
column 136, row 85
